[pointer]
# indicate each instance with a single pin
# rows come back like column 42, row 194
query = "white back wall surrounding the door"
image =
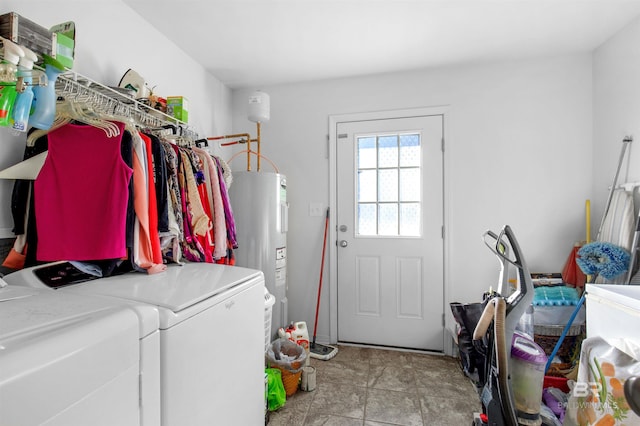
column 518, row 152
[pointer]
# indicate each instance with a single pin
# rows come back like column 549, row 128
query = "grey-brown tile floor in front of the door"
column 375, row 387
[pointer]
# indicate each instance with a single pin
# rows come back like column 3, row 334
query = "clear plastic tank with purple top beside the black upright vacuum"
column 528, row 362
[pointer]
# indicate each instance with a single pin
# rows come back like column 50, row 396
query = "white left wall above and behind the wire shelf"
column 111, row 38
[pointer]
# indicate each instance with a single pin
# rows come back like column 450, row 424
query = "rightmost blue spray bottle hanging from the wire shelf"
column 44, row 97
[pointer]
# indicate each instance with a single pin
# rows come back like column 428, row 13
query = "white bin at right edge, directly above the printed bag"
column 613, row 312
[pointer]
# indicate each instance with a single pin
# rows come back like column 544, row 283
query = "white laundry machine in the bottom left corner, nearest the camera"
column 68, row 360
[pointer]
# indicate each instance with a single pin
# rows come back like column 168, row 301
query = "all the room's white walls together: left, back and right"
column 519, row 135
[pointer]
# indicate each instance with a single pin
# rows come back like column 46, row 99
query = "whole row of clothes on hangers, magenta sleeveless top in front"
column 124, row 198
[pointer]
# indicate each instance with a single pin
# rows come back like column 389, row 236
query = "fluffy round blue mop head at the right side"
column 602, row 258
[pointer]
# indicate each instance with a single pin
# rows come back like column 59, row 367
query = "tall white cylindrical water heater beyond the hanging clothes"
column 260, row 211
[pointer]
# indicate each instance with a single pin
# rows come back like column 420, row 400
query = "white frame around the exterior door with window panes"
column 333, row 252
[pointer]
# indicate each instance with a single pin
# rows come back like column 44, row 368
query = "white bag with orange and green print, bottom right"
column 597, row 396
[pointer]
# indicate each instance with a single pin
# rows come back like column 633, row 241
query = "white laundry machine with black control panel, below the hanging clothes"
column 211, row 324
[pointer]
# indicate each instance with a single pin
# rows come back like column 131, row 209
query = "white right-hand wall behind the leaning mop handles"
column 616, row 113
